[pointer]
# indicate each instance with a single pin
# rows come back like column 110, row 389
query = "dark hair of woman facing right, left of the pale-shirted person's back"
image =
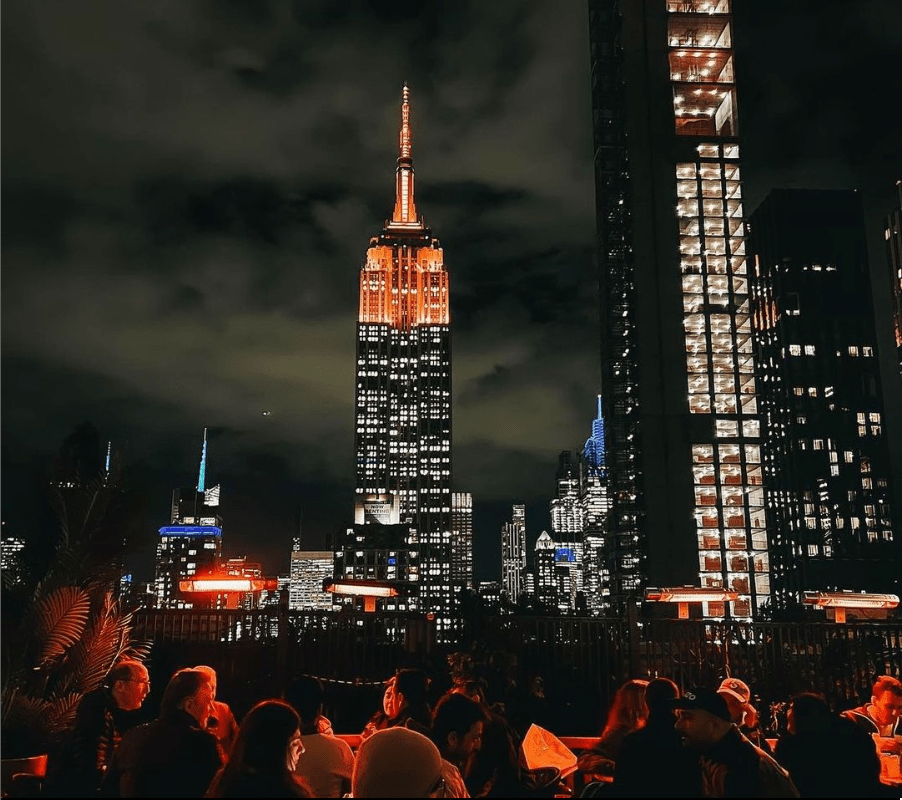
column 264, row 736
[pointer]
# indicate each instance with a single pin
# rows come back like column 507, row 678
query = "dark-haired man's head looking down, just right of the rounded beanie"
column 457, row 732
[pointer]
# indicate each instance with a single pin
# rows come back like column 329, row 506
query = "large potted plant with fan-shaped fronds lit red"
column 64, row 630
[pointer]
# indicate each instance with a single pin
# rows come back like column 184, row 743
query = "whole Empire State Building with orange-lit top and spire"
column 403, row 380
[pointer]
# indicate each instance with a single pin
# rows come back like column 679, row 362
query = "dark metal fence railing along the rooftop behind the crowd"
column 580, row 660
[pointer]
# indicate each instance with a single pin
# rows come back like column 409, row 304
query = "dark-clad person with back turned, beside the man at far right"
column 827, row 755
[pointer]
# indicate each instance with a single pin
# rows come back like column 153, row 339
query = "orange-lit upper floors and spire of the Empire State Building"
column 403, row 282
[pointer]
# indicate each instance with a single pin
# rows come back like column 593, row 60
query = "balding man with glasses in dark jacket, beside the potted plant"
column 102, row 717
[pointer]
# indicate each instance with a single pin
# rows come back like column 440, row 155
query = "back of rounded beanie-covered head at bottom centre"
column 396, row 762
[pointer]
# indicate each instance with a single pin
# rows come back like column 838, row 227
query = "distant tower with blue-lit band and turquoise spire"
column 190, row 543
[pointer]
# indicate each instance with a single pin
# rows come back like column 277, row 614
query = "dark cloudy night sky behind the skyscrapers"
column 190, row 187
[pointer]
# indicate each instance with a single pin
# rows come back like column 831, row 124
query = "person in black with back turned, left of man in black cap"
column 653, row 761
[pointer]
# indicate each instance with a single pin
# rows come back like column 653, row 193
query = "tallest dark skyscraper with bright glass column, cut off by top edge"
column 683, row 454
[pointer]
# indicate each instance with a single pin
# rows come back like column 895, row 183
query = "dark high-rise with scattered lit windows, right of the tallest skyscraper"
column 825, row 452
